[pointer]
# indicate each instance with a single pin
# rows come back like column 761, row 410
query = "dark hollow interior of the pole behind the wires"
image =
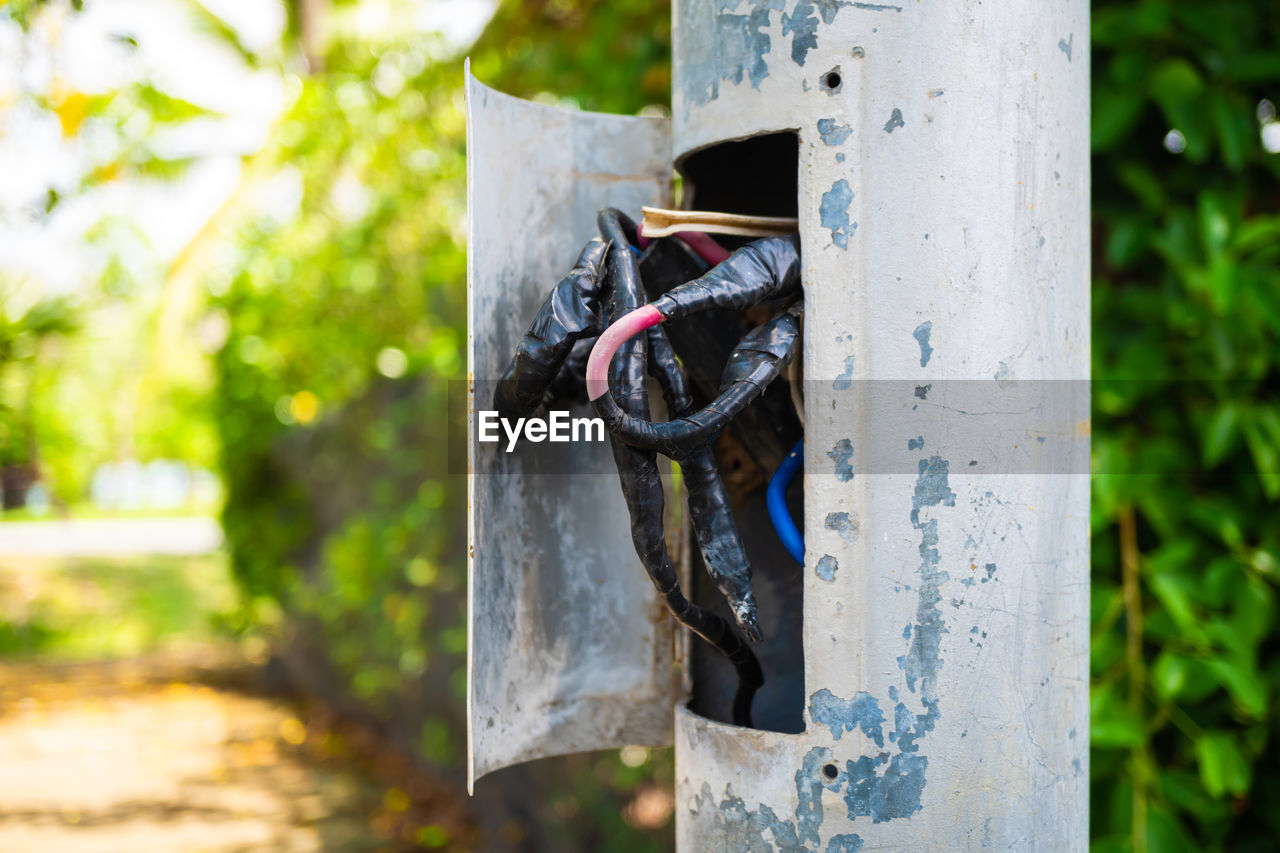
column 756, row 176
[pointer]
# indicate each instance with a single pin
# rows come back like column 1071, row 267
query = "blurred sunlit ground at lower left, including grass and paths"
column 134, row 722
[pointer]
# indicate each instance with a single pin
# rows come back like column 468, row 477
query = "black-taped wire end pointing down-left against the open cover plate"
column 570, row 313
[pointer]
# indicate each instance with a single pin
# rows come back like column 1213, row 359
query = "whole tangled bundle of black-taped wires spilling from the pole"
column 588, row 332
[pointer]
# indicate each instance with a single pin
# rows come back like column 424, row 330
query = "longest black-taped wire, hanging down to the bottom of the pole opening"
column 642, row 486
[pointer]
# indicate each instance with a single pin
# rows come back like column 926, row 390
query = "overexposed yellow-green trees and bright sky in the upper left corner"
column 117, row 149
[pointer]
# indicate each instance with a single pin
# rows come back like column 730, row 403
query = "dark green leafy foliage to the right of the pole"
column 1187, row 428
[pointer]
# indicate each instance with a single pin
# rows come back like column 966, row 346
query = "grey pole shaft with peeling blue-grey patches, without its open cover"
column 944, row 216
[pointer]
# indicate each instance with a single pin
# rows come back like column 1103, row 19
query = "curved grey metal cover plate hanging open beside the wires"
column 569, row 647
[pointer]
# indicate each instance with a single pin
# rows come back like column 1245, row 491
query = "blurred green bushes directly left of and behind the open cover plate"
column 346, row 313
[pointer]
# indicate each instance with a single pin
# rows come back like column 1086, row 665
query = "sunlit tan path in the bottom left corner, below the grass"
column 141, row 756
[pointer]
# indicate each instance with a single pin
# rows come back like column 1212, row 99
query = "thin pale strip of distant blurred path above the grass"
column 109, row 537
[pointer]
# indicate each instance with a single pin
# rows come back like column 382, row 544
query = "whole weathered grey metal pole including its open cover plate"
column 938, row 162
